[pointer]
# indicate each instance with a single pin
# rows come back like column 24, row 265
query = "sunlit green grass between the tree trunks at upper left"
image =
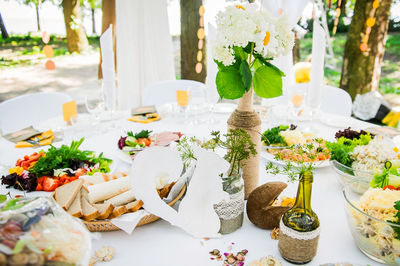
column 25, row 50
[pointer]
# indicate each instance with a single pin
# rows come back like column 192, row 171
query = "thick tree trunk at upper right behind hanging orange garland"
column 361, row 68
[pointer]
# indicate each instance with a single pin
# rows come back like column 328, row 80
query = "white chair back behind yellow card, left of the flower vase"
column 165, row 92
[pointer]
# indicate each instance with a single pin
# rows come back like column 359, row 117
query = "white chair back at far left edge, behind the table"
column 30, row 109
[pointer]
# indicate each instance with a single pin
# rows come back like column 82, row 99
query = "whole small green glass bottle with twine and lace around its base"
column 299, row 226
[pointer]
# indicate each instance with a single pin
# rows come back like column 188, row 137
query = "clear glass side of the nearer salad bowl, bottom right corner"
column 374, row 237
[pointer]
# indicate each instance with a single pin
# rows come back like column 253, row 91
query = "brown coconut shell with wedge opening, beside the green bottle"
column 259, row 205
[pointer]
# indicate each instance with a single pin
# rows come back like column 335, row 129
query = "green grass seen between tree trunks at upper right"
column 390, row 75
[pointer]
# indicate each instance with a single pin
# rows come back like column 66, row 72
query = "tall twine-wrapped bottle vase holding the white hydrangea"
column 244, row 117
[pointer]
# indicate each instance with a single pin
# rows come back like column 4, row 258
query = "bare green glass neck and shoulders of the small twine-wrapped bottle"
column 301, row 217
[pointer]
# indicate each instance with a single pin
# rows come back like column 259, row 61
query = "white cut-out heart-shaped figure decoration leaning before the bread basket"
column 196, row 213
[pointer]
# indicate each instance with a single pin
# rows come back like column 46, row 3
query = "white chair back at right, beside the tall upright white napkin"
column 336, row 101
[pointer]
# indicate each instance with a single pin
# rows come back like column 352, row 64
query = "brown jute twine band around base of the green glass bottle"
column 297, row 250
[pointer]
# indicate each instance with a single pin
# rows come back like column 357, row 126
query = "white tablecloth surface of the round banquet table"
column 160, row 243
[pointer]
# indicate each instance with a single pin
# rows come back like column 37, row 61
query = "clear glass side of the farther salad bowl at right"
column 347, row 175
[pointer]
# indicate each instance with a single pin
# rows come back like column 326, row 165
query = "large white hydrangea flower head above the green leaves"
column 238, row 25
